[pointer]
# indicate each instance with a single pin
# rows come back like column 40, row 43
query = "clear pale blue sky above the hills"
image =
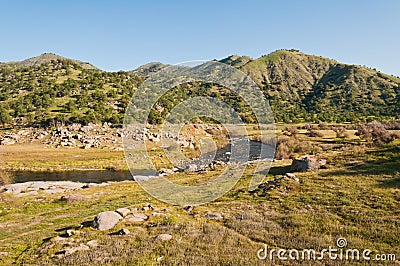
column 115, row 35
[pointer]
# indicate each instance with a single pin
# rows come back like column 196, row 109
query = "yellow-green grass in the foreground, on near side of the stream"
column 356, row 197
